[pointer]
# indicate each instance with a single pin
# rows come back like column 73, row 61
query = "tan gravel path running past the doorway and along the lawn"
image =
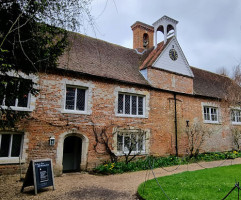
column 87, row 186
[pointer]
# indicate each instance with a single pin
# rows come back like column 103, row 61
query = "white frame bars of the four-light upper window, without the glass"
column 131, row 95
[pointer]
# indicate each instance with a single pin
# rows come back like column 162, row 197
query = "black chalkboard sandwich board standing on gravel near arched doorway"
column 39, row 174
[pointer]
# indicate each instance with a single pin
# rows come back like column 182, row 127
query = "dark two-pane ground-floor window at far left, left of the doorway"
column 10, row 145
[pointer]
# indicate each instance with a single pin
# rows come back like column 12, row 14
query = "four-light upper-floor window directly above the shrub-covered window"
column 130, row 105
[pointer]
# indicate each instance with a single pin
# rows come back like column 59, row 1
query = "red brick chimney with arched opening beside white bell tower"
column 142, row 36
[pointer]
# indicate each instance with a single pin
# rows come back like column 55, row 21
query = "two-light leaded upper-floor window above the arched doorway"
column 75, row 99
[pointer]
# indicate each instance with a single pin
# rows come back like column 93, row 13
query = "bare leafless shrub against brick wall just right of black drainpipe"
column 197, row 133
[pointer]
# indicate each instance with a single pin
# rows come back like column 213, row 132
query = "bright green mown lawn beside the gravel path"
column 209, row 184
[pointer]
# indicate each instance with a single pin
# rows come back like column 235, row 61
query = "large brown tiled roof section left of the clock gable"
column 100, row 58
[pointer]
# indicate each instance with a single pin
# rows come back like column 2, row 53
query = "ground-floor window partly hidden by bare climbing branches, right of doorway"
column 131, row 142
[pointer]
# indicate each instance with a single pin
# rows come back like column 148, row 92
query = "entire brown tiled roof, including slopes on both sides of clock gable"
column 99, row 58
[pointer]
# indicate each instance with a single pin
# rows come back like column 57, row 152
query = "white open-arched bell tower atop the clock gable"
column 167, row 26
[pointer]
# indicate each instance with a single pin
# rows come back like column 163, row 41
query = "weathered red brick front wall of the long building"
column 47, row 119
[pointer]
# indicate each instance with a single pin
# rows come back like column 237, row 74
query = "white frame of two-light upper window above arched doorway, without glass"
column 86, row 100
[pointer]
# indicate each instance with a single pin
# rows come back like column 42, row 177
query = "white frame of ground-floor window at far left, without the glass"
column 9, row 158
